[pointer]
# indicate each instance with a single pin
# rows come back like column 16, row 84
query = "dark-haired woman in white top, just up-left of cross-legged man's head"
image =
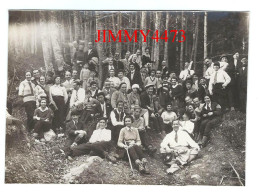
column 168, row 116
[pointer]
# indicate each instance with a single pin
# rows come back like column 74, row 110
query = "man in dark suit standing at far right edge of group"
column 242, row 84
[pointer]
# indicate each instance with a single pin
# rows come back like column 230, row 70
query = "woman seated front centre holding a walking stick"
column 129, row 139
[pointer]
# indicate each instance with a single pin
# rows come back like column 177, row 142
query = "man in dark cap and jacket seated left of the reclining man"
column 75, row 133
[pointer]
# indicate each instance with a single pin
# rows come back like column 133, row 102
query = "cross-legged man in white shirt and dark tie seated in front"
column 178, row 148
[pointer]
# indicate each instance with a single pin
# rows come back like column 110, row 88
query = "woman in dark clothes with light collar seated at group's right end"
column 211, row 117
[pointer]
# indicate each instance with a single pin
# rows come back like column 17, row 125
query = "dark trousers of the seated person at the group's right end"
column 208, row 124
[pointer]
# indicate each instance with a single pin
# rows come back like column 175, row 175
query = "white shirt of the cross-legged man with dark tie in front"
column 184, row 139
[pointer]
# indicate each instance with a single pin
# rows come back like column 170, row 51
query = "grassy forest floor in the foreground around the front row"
column 216, row 163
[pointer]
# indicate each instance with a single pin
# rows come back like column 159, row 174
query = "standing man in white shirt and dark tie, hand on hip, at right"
column 217, row 85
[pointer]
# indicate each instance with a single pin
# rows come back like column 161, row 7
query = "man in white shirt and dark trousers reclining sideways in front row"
column 99, row 143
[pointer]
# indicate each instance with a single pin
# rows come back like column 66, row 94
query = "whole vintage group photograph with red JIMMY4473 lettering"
column 127, row 97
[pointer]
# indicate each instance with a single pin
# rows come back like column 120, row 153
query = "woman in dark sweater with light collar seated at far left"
column 43, row 117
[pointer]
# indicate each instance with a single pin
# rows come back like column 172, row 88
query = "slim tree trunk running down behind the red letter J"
column 99, row 46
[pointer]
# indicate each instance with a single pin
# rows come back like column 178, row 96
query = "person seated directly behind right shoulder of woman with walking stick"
column 139, row 123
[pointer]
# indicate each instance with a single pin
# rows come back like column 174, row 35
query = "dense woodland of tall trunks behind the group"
column 50, row 36
